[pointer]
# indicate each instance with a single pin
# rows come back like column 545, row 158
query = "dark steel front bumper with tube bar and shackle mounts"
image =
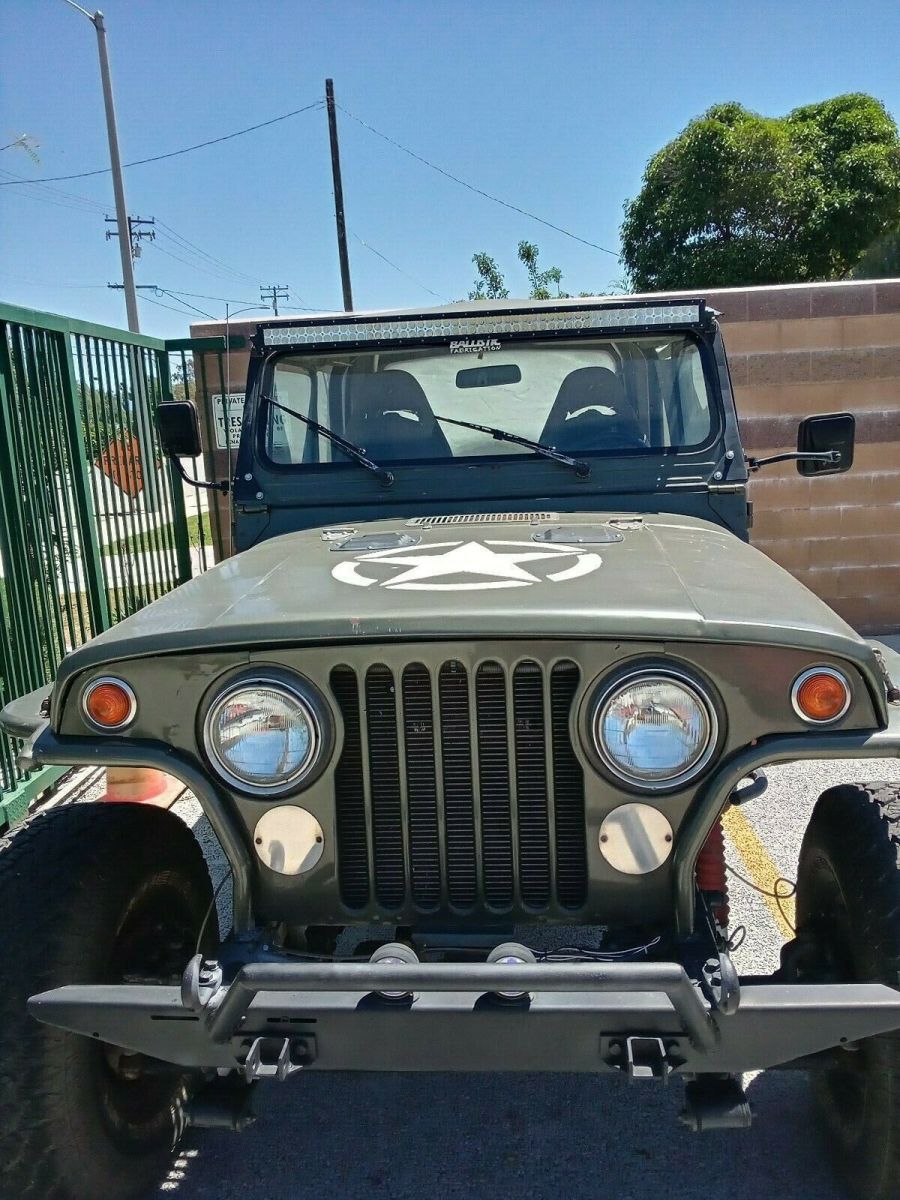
column 641, row 1018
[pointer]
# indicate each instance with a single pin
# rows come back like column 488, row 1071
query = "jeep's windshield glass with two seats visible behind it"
column 622, row 397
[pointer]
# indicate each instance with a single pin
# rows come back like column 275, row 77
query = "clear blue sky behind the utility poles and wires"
column 553, row 106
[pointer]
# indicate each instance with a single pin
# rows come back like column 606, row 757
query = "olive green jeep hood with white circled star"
column 668, row 579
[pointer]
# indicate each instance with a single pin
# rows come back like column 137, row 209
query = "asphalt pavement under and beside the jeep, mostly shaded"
column 410, row 1137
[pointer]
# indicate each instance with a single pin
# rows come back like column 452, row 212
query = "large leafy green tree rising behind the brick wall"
column 739, row 199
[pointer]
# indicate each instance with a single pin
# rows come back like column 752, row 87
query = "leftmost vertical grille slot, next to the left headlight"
column 351, row 795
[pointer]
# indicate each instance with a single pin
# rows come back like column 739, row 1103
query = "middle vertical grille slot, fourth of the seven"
column 457, row 772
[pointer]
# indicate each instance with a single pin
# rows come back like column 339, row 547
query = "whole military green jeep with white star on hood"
column 493, row 661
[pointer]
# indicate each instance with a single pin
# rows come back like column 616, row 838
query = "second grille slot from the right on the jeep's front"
column 532, row 784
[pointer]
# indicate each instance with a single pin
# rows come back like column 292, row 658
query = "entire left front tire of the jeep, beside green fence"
column 93, row 893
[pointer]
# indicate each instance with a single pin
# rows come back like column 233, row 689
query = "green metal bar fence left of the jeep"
column 94, row 521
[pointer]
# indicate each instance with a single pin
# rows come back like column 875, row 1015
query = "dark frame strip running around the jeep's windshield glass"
column 337, row 470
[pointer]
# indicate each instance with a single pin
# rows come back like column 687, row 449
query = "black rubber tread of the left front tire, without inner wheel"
column 68, row 880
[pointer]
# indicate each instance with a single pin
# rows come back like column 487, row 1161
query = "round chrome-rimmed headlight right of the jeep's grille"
column 655, row 730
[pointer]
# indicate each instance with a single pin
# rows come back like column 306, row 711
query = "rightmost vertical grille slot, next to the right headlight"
column 568, row 793
